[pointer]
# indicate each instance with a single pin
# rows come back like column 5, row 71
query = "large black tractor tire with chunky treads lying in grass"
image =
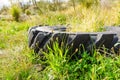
column 41, row 36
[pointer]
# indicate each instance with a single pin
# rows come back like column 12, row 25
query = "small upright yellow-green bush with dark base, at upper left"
column 15, row 12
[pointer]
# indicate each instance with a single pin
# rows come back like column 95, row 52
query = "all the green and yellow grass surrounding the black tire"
column 18, row 62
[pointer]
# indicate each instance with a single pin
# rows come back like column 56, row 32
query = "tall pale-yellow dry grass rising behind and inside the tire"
column 93, row 19
